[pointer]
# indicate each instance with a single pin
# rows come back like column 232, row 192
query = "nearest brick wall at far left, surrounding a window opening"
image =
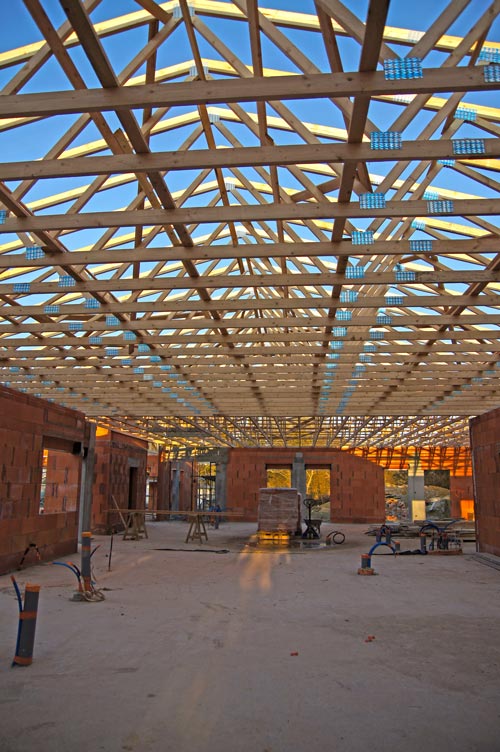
column 27, row 426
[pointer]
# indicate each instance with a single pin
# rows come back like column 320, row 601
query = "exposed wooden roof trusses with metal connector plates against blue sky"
column 219, row 235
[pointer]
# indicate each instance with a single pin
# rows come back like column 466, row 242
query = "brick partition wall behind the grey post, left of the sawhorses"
column 119, row 471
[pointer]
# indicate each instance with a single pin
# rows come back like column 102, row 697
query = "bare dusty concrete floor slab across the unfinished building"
column 261, row 652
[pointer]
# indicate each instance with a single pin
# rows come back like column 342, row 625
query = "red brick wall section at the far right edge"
column 485, row 446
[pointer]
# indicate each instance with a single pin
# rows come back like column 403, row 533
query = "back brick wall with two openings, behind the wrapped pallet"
column 356, row 485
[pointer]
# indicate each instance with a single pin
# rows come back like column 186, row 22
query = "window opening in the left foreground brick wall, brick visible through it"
column 59, row 486
